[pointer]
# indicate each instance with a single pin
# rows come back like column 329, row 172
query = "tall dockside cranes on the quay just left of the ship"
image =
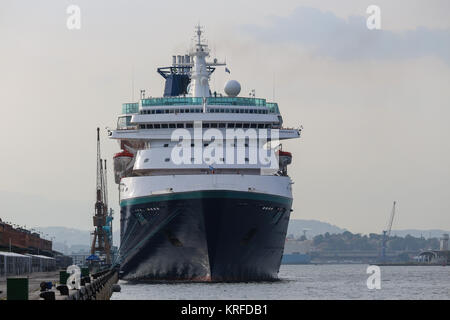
column 101, row 244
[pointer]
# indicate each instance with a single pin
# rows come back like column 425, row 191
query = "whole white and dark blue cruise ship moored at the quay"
column 204, row 189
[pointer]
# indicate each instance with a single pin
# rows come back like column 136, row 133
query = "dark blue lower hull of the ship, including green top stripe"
column 203, row 236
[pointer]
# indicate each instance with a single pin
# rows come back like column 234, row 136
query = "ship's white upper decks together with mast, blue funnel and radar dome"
column 188, row 99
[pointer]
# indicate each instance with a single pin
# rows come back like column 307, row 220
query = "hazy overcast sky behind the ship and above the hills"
column 375, row 105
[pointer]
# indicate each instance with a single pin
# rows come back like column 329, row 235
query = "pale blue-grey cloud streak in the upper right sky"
column 327, row 35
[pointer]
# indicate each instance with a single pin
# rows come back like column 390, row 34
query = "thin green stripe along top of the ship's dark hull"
column 207, row 194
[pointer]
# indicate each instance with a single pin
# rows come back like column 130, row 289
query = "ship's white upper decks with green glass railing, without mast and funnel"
column 157, row 117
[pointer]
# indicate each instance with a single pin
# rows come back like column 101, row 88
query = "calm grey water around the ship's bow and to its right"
column 308, row 282
